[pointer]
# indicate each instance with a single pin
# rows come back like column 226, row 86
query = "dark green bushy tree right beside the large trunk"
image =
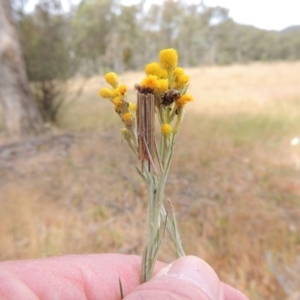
column 46, row 45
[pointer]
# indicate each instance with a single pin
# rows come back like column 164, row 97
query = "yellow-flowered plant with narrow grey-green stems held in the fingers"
column 163, row 92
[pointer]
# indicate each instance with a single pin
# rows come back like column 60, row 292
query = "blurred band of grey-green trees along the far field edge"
column 101, row 35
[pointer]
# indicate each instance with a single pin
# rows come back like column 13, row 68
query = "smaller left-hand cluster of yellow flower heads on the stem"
column 117, row 95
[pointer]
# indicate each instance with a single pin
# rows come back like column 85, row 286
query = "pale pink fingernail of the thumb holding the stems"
column 196, row 271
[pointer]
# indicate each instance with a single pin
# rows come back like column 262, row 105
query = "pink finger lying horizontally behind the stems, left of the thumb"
column 94, row 276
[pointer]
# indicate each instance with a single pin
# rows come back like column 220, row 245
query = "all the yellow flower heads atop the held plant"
column 165, row 79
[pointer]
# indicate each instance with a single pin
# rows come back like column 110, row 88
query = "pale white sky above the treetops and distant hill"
column 265, row 14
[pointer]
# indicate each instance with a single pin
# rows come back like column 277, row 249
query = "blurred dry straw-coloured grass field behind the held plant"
column 233, row 182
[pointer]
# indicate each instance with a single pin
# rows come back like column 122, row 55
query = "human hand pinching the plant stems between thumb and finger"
column 96, row 276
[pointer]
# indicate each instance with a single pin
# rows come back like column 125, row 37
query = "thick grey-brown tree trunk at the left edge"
column 21, row 116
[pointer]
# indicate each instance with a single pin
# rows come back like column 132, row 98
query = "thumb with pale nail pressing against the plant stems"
column 186, row 278
